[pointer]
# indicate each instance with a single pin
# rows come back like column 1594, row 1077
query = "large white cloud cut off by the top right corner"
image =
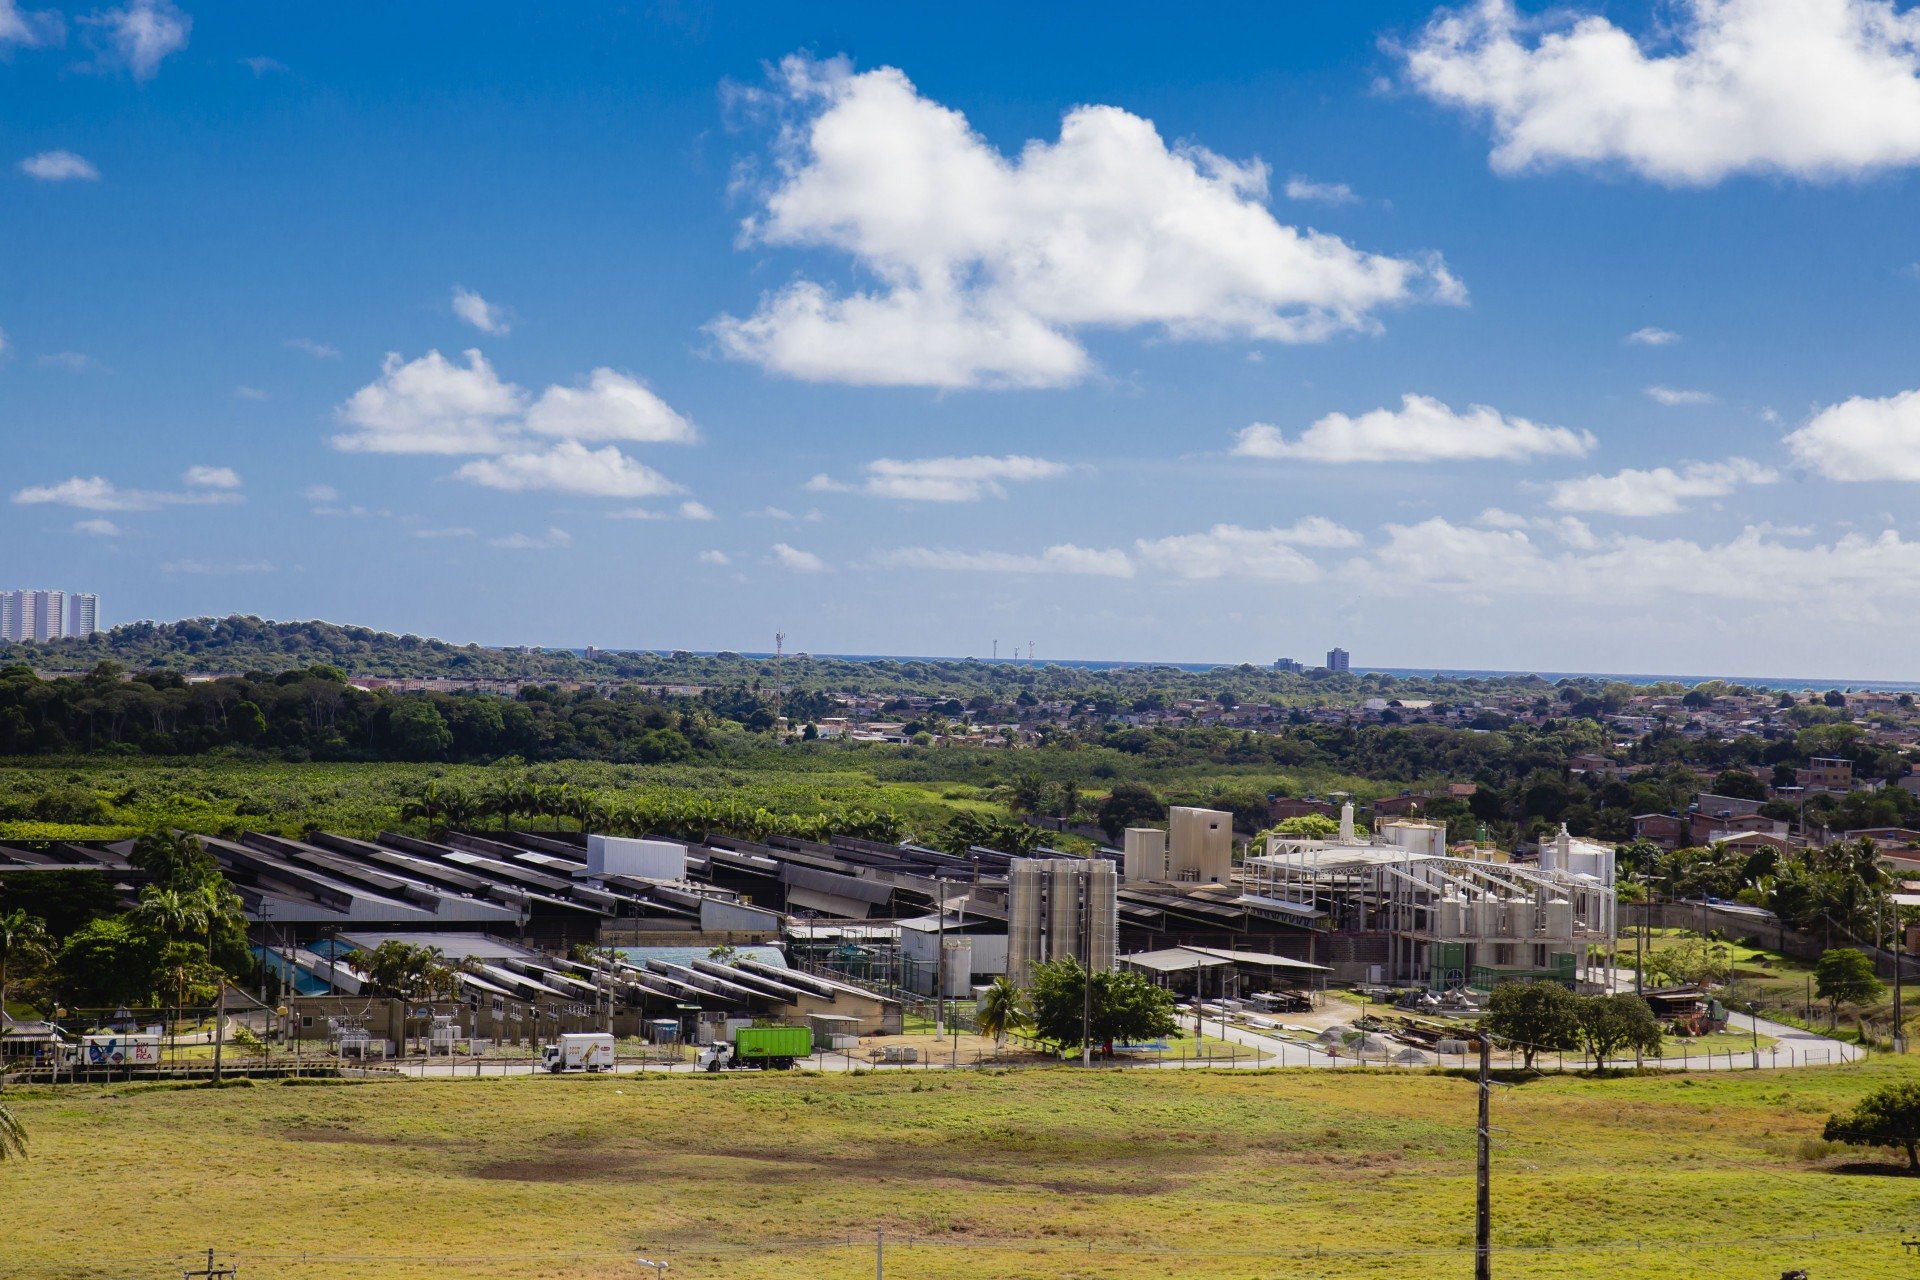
column 1813, row 89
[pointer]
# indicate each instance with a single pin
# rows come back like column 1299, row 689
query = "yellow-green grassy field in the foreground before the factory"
column 994, row 1175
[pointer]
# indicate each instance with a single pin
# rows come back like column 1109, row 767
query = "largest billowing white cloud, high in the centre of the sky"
column 988, row 266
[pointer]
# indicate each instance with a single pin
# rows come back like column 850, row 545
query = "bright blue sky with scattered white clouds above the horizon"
column 1460, row 337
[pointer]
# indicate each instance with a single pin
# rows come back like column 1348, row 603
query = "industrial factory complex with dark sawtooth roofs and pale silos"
column 567, row 932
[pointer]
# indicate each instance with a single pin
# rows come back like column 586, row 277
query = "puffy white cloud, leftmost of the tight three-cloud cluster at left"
column 431, row 406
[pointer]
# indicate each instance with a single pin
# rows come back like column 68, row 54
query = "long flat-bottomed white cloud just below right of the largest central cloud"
column 1422, row 431
